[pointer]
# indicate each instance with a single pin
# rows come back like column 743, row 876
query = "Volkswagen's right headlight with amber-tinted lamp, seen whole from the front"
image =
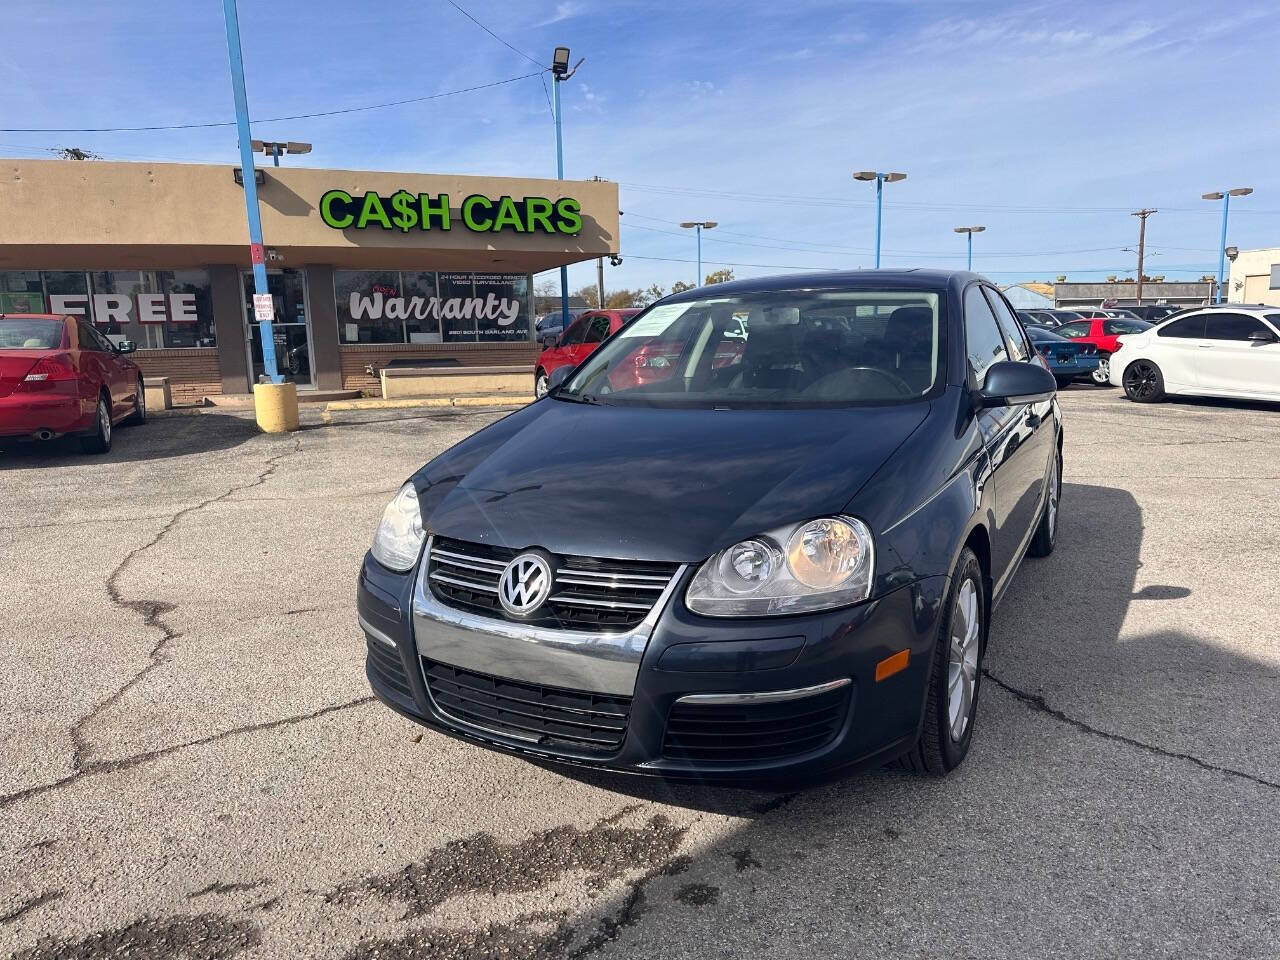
column 812, row 566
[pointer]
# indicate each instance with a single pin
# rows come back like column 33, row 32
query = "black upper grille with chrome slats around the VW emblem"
column 588, row 593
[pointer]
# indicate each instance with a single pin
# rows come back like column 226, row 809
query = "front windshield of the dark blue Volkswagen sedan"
column 793, row 349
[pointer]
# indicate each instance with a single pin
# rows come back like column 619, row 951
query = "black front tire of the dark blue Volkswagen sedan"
column 939, row 752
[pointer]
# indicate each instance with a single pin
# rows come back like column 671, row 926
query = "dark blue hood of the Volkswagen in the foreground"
column 655, row 484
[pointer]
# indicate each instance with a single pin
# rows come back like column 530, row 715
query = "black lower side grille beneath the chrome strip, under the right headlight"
column 746, row 734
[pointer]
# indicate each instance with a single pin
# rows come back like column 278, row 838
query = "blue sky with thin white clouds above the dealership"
column 1045, row 122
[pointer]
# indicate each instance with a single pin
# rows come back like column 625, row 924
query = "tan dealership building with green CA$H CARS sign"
column 364, row 268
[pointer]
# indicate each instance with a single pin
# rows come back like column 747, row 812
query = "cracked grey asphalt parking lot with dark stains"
column 194, row 766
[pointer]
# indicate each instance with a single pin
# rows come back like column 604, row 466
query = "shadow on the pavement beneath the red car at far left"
column 161, row 438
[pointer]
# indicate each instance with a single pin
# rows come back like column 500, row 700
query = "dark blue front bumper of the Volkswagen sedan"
column 694, row 679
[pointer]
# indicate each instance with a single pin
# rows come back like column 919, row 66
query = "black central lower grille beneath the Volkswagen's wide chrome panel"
column 582, row 723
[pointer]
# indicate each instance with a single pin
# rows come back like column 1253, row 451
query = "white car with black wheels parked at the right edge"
column 1229, row 350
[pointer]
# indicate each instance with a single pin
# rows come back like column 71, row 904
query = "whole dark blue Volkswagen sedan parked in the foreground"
column 783, row 566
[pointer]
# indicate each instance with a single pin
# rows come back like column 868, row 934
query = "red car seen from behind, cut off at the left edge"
column 60, row 376
